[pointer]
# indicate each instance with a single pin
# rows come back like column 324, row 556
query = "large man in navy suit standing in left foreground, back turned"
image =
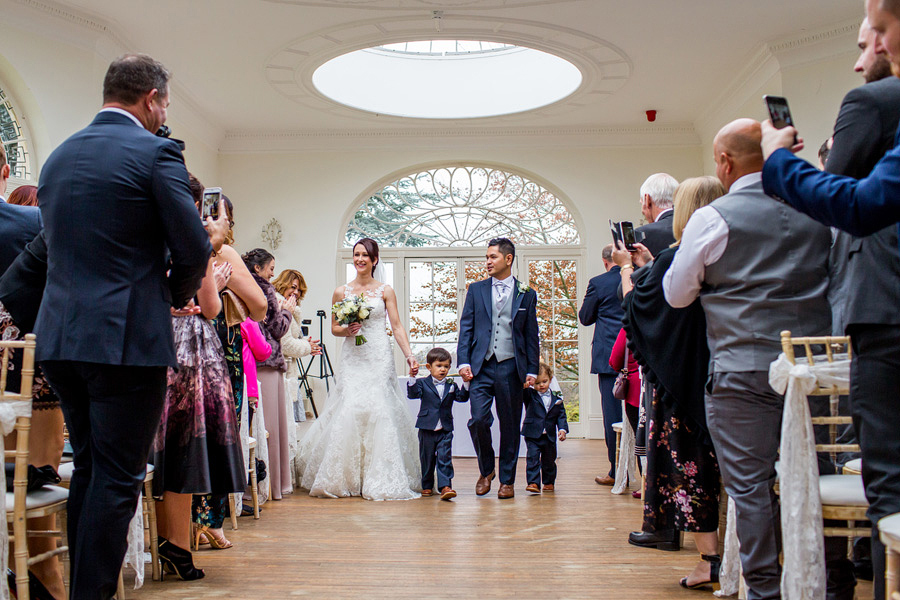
column 116, row 202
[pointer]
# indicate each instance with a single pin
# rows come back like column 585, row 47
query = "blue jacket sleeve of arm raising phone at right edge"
column 860, row 207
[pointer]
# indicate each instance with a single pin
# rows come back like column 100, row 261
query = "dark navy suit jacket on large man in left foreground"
column 116, row 202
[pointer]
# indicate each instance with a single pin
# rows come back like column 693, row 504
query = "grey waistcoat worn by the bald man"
column 773, row 276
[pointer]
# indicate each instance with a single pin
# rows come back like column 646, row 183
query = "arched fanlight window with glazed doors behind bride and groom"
column 433, row 227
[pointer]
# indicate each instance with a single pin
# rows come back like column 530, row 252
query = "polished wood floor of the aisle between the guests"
column 570, row 544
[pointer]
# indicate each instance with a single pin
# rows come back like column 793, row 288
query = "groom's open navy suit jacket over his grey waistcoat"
column 476, row 324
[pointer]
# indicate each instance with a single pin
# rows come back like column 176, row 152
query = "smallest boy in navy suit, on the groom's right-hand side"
column 545, row 420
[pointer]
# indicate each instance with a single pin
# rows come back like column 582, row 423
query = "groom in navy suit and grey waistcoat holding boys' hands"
column 499, row 353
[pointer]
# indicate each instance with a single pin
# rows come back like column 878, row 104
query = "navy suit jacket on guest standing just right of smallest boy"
column 602, row 309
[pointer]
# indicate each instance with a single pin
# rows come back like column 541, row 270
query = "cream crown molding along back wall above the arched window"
column 253, row 142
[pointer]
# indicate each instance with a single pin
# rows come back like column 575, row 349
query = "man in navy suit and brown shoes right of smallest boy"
column 603, row 309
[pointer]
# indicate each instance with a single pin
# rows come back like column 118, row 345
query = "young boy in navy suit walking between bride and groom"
column 435, row 421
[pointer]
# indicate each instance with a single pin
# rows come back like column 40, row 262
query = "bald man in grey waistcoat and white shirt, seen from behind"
column 759, row 267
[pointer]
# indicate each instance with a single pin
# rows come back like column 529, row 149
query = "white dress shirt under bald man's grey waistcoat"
column 703, row 242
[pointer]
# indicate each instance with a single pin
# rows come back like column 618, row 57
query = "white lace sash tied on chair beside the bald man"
column 803, row 575
